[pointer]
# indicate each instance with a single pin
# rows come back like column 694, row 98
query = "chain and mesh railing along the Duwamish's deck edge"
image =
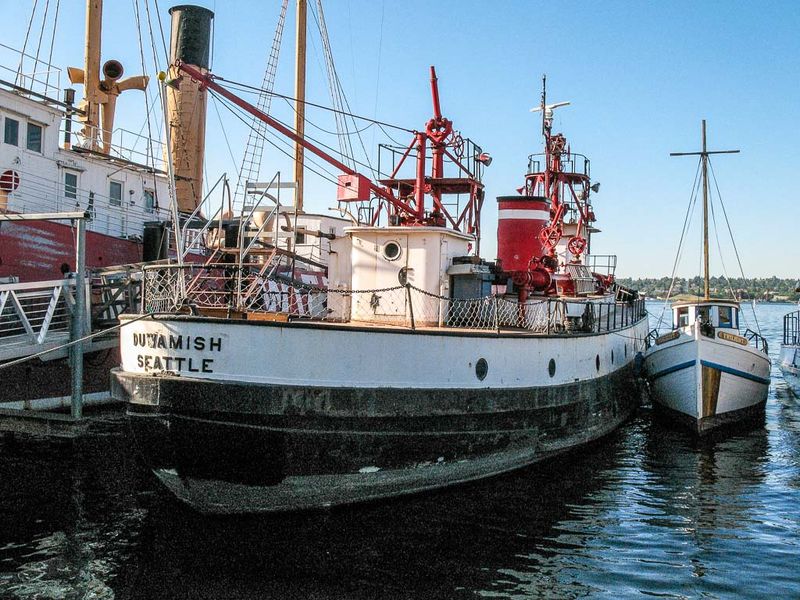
column 221, row 287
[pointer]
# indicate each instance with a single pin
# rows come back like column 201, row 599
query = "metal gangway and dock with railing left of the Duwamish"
column 44, row 322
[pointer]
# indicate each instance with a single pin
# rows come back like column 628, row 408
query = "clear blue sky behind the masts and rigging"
column 640, row 76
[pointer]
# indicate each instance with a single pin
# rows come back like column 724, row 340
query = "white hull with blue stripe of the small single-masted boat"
column 706, row 381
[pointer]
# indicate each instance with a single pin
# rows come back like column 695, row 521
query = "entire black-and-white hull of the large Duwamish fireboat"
column 310, row 441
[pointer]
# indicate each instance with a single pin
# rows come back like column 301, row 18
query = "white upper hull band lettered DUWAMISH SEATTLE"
column 366, row 357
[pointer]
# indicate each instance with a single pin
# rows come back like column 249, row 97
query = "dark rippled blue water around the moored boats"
column 644, row 512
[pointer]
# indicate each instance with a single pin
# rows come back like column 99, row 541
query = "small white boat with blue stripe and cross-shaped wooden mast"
column 703, row 372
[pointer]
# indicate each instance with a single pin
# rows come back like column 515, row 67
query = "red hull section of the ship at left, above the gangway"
column 35, row 250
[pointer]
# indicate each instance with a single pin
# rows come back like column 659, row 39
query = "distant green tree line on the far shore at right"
column 772, row 289
